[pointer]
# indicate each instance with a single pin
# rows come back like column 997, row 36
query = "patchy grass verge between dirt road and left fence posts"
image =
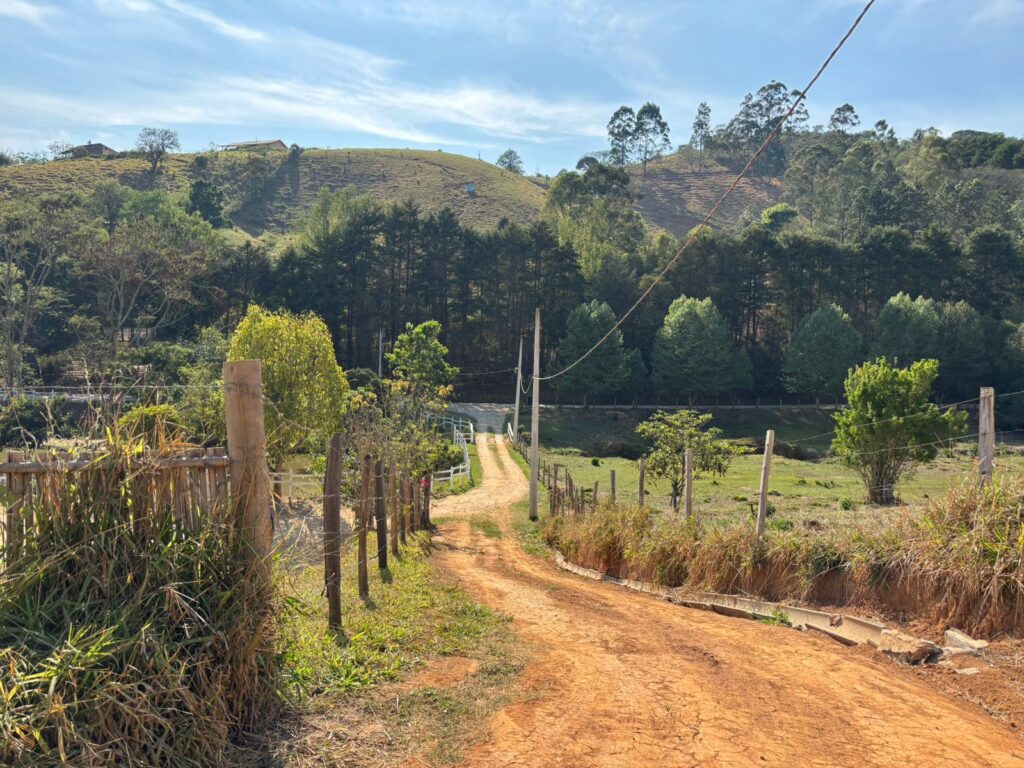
column 418, row 671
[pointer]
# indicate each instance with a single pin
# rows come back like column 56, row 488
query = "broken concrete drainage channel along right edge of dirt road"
column 845, row 629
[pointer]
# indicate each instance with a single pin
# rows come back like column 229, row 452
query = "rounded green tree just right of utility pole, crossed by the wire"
column 605, row 371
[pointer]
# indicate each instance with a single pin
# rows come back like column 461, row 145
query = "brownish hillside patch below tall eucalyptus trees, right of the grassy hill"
column 676, row 198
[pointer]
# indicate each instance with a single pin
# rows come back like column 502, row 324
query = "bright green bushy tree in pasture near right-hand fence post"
column 890, row 426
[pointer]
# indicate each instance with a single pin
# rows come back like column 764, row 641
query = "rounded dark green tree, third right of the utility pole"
column 824, row 349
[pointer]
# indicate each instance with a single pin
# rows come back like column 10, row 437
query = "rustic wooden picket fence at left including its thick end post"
column 185, row 485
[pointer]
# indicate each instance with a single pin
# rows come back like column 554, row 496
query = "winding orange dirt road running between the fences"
column 621, row 679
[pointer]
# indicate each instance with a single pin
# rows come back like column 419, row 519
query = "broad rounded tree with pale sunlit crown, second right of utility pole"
column 694, row 355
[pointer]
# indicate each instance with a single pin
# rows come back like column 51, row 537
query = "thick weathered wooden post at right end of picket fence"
column 247, row 449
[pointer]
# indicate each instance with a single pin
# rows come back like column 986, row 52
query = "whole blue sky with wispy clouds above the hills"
column 478, row 77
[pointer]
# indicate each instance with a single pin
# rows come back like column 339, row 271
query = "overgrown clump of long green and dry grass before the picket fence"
column 130, row 642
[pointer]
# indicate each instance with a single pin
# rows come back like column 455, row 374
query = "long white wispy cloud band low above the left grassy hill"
column 388, row 110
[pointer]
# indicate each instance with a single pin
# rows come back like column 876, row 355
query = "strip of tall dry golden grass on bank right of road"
column 958, row 561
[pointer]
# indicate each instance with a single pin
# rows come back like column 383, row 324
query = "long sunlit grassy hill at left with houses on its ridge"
column 271, row 191
